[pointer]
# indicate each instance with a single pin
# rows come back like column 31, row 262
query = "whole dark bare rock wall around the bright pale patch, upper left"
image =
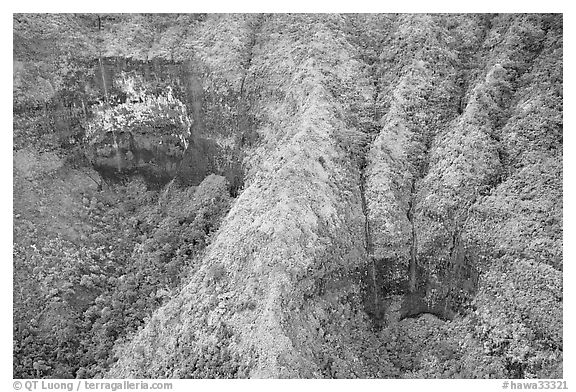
column 157, row 122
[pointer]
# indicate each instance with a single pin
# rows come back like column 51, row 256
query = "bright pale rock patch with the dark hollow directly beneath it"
column 146, row 132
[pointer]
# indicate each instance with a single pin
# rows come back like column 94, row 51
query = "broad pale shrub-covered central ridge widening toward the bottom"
column 279, row 290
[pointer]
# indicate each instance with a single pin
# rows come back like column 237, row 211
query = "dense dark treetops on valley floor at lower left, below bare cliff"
column 76, row 297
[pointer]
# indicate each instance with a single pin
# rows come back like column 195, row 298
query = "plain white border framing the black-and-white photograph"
column 296, row 6
